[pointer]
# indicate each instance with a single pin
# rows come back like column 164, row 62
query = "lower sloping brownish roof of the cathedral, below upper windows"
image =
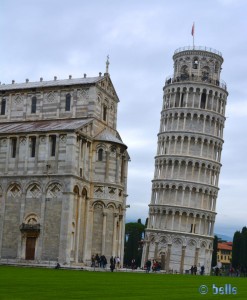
column 42, row 126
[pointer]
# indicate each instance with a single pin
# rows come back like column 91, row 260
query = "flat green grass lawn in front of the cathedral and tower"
column 35, row 283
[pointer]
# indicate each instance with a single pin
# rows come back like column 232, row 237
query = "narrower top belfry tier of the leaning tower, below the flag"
column 198, row 62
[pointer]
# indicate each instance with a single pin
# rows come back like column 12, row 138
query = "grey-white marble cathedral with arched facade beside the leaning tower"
column 63, row 171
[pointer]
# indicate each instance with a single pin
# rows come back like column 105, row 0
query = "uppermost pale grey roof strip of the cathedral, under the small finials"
column 41, row 84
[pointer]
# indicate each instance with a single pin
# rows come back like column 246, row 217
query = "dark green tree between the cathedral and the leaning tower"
column 134, row 233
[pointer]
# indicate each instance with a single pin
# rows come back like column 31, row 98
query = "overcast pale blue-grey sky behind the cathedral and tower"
column 47, row 38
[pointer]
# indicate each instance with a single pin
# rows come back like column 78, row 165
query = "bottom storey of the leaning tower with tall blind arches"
column 177, row 252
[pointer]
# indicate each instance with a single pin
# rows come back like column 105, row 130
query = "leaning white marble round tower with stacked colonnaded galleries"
column 187, row 165
